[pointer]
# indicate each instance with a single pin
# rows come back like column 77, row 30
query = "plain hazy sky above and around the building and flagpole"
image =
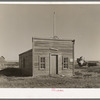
column 19, row 23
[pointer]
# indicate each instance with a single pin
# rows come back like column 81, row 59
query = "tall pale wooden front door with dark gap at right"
column 53, row 64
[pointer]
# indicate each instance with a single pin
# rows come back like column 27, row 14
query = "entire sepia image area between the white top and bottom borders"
column 50, row 46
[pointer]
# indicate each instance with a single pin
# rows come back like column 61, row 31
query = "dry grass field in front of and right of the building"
column 87, row 77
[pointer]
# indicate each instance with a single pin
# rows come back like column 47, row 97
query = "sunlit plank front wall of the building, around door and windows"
column 43, row 48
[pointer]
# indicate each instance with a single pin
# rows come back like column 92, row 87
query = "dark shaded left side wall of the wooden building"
column 25, row 63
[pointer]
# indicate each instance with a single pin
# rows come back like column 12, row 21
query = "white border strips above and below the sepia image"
column 39, row 93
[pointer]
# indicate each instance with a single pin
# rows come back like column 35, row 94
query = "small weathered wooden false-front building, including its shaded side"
column 48, row 57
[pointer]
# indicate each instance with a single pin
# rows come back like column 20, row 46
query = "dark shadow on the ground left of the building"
column 17, row 72
